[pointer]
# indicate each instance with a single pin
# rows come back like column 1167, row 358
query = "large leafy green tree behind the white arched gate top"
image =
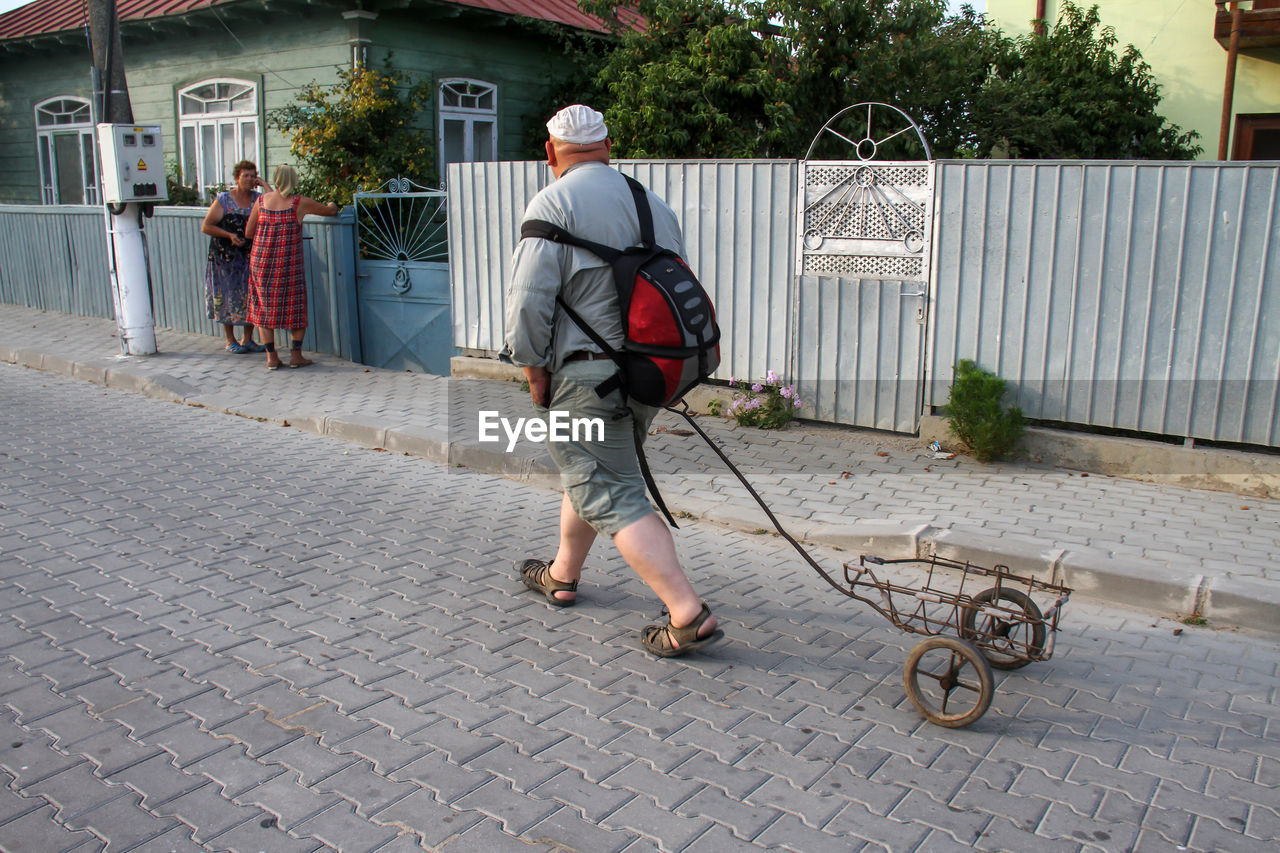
column 748, row 79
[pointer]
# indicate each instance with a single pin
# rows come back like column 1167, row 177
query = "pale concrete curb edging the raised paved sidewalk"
column 1244, row 603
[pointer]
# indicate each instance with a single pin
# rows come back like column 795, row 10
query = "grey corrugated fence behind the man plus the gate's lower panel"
column 853, row 346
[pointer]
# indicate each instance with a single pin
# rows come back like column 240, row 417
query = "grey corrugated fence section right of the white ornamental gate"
column 1141, row 297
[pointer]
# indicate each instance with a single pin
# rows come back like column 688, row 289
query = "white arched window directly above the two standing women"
column 218, row 127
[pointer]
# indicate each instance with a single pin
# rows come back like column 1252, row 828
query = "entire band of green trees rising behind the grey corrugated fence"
column 760, row 79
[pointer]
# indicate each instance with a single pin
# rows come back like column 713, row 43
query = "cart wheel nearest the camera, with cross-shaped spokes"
column 949, row 681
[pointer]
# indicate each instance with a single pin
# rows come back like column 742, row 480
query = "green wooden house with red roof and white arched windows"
column 209, row 72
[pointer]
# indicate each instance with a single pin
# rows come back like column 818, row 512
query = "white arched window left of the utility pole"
column 65, row 143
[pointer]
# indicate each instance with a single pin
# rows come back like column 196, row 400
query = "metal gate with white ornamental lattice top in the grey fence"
column 863, row 240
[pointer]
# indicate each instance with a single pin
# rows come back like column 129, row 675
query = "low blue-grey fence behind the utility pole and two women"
column 56, row 259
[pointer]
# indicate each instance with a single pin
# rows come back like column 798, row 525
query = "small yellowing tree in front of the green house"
column 359, row 133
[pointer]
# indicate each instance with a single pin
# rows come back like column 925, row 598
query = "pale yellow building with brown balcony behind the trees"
column 1187, row 44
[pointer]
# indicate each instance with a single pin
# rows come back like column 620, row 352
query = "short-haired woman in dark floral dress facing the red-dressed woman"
column 227, row 271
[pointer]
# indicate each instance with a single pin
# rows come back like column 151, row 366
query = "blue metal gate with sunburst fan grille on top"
column 404, row 279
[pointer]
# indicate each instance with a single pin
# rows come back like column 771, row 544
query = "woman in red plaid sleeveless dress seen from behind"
column 277, row 286
